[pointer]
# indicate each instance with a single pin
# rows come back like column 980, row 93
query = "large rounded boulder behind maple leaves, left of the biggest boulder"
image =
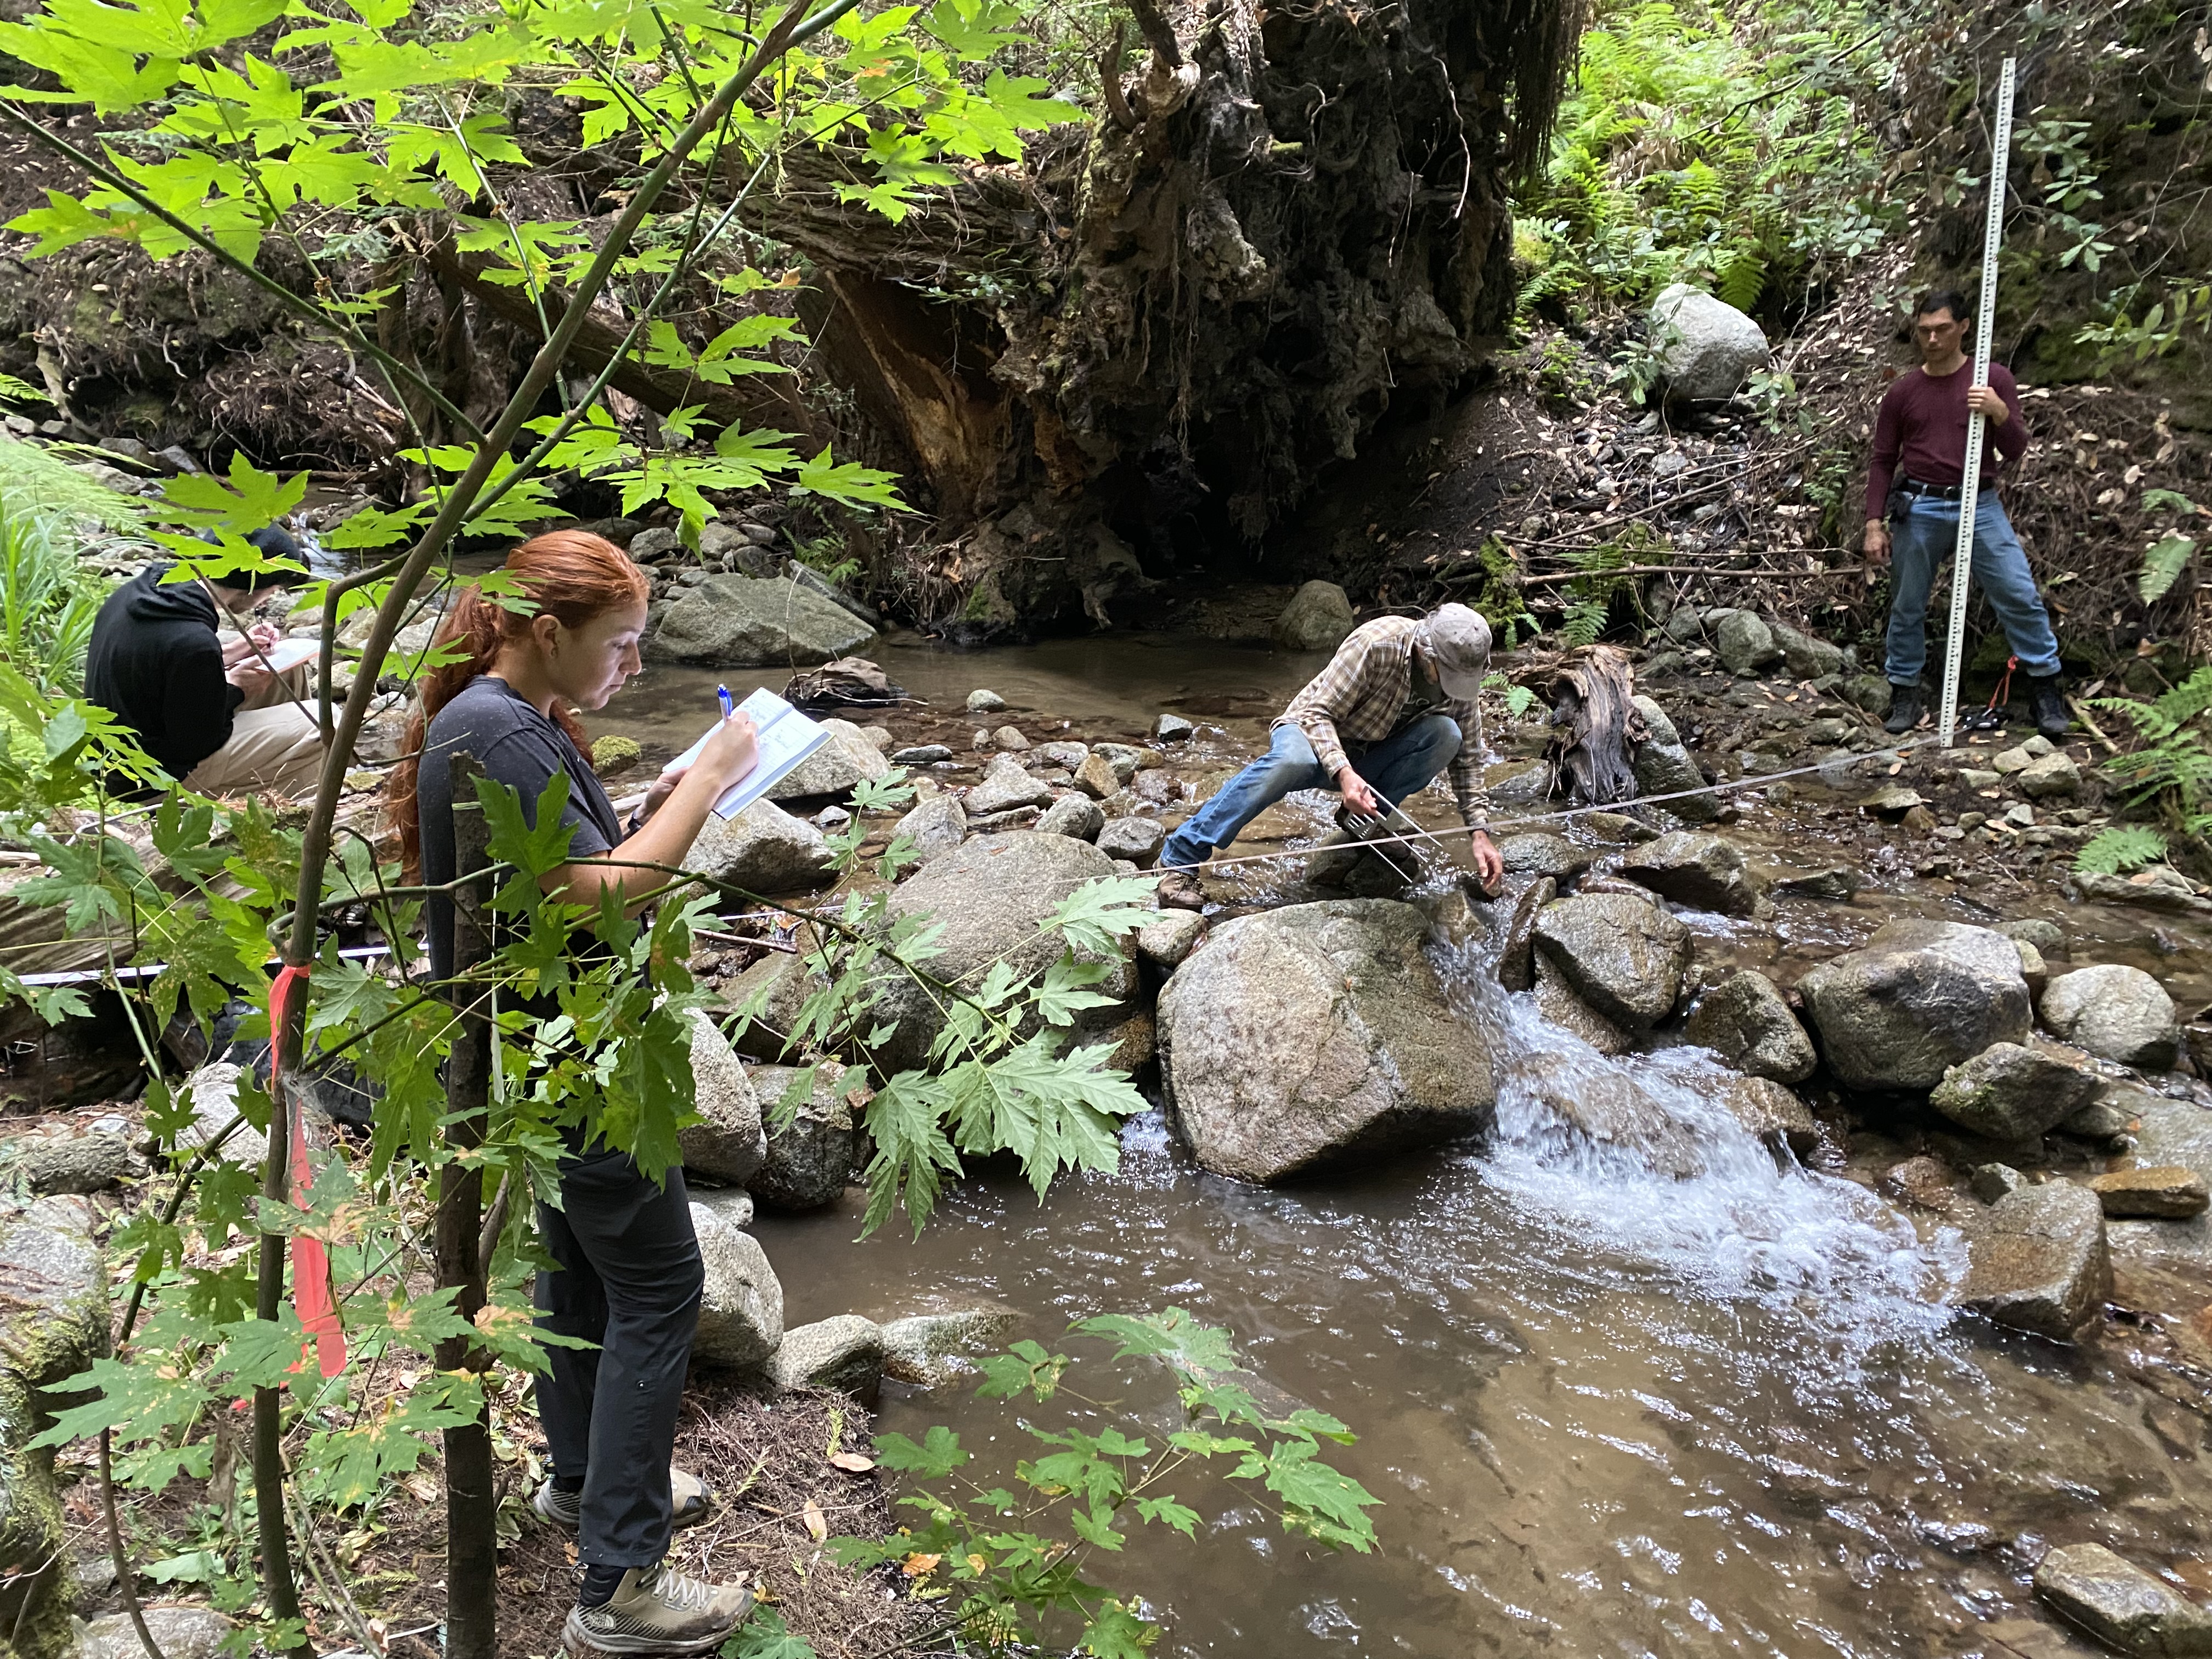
column 990, row 897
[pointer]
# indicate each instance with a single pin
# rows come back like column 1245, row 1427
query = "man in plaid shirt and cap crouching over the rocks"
column 1395, row 707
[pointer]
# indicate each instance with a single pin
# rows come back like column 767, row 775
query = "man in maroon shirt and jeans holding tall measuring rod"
column 1912, row 512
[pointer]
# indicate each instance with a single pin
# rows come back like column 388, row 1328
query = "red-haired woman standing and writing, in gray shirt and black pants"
column 629, row 1266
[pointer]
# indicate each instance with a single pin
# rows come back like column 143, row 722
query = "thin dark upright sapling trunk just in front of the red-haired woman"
column 472, row 1536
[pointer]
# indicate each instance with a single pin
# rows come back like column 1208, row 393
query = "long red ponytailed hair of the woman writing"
column 572, row 578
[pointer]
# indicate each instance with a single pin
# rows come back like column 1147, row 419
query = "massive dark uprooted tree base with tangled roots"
column 1182, row 315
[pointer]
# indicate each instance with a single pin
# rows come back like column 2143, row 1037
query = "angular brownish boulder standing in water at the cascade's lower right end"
column 2038, row 1260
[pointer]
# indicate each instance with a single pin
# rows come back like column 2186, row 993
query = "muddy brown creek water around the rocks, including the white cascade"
column 1607, row 1410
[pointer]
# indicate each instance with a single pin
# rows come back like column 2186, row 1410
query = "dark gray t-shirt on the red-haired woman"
column 521, row 749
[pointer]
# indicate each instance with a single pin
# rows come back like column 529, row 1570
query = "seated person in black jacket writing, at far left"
column 213, row 716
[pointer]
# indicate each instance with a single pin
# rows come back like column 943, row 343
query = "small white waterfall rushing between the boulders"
column 1640, row 1160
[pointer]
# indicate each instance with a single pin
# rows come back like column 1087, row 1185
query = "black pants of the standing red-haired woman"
column 629, row 1282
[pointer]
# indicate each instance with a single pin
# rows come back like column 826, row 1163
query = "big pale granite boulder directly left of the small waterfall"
column 1315, row 1036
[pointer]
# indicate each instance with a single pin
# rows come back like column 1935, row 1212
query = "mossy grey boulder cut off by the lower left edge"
column 54, row 1322
